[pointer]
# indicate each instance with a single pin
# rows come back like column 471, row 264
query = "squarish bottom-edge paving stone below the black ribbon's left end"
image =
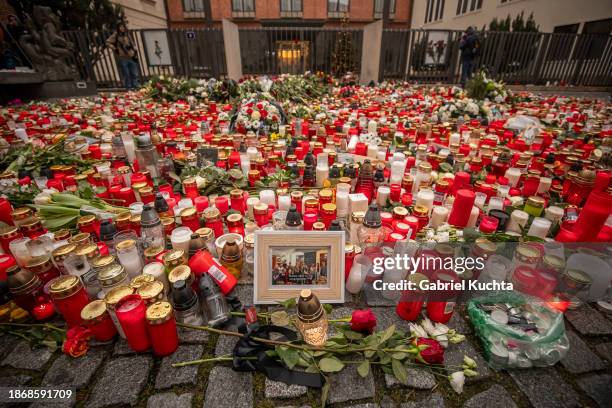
column 229, row 389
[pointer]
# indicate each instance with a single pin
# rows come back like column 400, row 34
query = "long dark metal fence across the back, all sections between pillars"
column 429, row 56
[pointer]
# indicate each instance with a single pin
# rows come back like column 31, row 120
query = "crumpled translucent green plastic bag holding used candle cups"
column 507, row 347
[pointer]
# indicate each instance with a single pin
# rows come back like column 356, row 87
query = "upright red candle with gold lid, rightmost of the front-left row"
column 161, row 325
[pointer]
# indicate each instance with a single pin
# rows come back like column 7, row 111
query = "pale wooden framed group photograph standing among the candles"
column 289, row 261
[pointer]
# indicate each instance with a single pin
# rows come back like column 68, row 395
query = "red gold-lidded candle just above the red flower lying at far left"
column 69, row 297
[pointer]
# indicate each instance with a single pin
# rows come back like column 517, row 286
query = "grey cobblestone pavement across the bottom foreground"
column 112, row 375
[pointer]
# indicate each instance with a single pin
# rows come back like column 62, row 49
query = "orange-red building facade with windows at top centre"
column 258, row 13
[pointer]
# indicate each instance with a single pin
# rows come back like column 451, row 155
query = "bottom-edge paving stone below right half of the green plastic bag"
column 545, row 388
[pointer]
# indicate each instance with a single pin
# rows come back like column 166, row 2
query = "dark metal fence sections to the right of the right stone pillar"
column 516, row 58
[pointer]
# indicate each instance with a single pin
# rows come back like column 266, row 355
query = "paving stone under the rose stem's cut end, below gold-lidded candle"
column 169, row 376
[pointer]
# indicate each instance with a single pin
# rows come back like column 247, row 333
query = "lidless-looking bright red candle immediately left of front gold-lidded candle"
column 131, row 312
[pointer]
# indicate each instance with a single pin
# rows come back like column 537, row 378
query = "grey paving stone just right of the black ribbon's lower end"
column 348, row 385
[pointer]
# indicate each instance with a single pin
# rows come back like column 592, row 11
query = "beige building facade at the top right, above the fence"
column 567, row 16
